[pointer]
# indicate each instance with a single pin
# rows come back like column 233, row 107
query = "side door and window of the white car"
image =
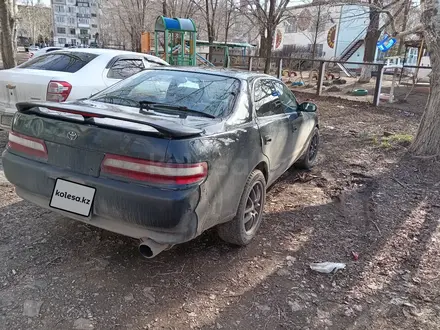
column 121, row 68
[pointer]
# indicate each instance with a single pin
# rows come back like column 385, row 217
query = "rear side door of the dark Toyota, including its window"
column 274, row 125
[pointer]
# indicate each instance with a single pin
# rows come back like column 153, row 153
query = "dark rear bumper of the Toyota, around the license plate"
column 165, row 216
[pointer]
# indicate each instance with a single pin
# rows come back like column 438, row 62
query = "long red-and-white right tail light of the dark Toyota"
column 154, row 172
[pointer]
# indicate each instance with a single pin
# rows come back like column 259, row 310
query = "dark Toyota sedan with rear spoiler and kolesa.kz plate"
column 164, row 155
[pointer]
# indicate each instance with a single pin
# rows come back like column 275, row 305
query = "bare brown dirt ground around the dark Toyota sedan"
column 366, row 198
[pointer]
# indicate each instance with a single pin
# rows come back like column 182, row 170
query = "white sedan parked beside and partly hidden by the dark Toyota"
column 68, row 74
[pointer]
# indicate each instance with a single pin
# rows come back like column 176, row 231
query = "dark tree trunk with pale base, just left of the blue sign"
column 371, row 38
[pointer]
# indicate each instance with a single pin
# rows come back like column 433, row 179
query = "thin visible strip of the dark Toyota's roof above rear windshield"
column 233, row 73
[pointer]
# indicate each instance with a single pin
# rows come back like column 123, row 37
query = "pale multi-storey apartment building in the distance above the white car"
column 75, row 22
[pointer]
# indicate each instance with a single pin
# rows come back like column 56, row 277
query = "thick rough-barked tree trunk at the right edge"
column 427, row 140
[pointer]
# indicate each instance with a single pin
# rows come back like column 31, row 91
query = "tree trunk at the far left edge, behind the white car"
column 8, row 19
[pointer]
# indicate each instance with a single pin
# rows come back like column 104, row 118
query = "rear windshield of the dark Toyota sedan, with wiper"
column 210, row 94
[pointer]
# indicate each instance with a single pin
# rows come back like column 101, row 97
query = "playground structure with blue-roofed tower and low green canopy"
column 175, row 41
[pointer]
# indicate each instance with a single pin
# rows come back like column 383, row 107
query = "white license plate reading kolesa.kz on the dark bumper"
column 72, row 197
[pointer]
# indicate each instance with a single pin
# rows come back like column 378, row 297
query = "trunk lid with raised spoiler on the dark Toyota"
column 78, row 138
